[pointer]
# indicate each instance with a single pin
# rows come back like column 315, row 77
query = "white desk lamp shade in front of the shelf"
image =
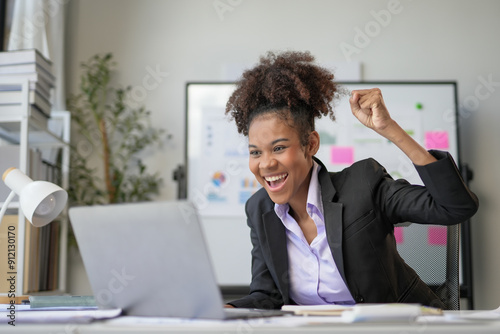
column 40, row 201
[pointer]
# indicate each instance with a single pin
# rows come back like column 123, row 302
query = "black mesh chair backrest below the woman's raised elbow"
column 434, row 253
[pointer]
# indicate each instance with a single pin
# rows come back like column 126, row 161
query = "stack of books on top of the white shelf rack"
column 30, row 65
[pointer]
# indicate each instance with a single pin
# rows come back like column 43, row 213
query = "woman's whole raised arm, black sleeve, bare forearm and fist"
column 445, row 198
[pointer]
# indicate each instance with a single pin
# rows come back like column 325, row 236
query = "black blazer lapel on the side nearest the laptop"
column 276, row 242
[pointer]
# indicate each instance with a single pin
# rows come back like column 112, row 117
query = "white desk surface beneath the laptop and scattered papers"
column 427, row 325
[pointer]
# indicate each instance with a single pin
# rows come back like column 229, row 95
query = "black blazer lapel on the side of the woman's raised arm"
column 333, row 217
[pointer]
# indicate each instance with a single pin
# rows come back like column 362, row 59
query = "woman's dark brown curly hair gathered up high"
column 287, row 83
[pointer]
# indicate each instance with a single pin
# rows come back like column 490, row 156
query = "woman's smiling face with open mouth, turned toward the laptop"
column 278, row 160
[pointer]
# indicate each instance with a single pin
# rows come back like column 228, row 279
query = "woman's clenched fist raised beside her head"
column 368, row 106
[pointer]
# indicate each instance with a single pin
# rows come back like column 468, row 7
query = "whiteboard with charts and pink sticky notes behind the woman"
column 219, row 181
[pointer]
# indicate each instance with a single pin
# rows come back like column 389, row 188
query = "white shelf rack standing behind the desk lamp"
column 29, row 128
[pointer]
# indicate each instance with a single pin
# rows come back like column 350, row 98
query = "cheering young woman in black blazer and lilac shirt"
column 327, row 238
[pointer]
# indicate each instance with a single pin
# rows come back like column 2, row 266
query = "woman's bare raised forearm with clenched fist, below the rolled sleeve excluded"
column 369, row 108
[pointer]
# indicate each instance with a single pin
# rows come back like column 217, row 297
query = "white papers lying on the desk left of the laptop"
column 54, row 315
